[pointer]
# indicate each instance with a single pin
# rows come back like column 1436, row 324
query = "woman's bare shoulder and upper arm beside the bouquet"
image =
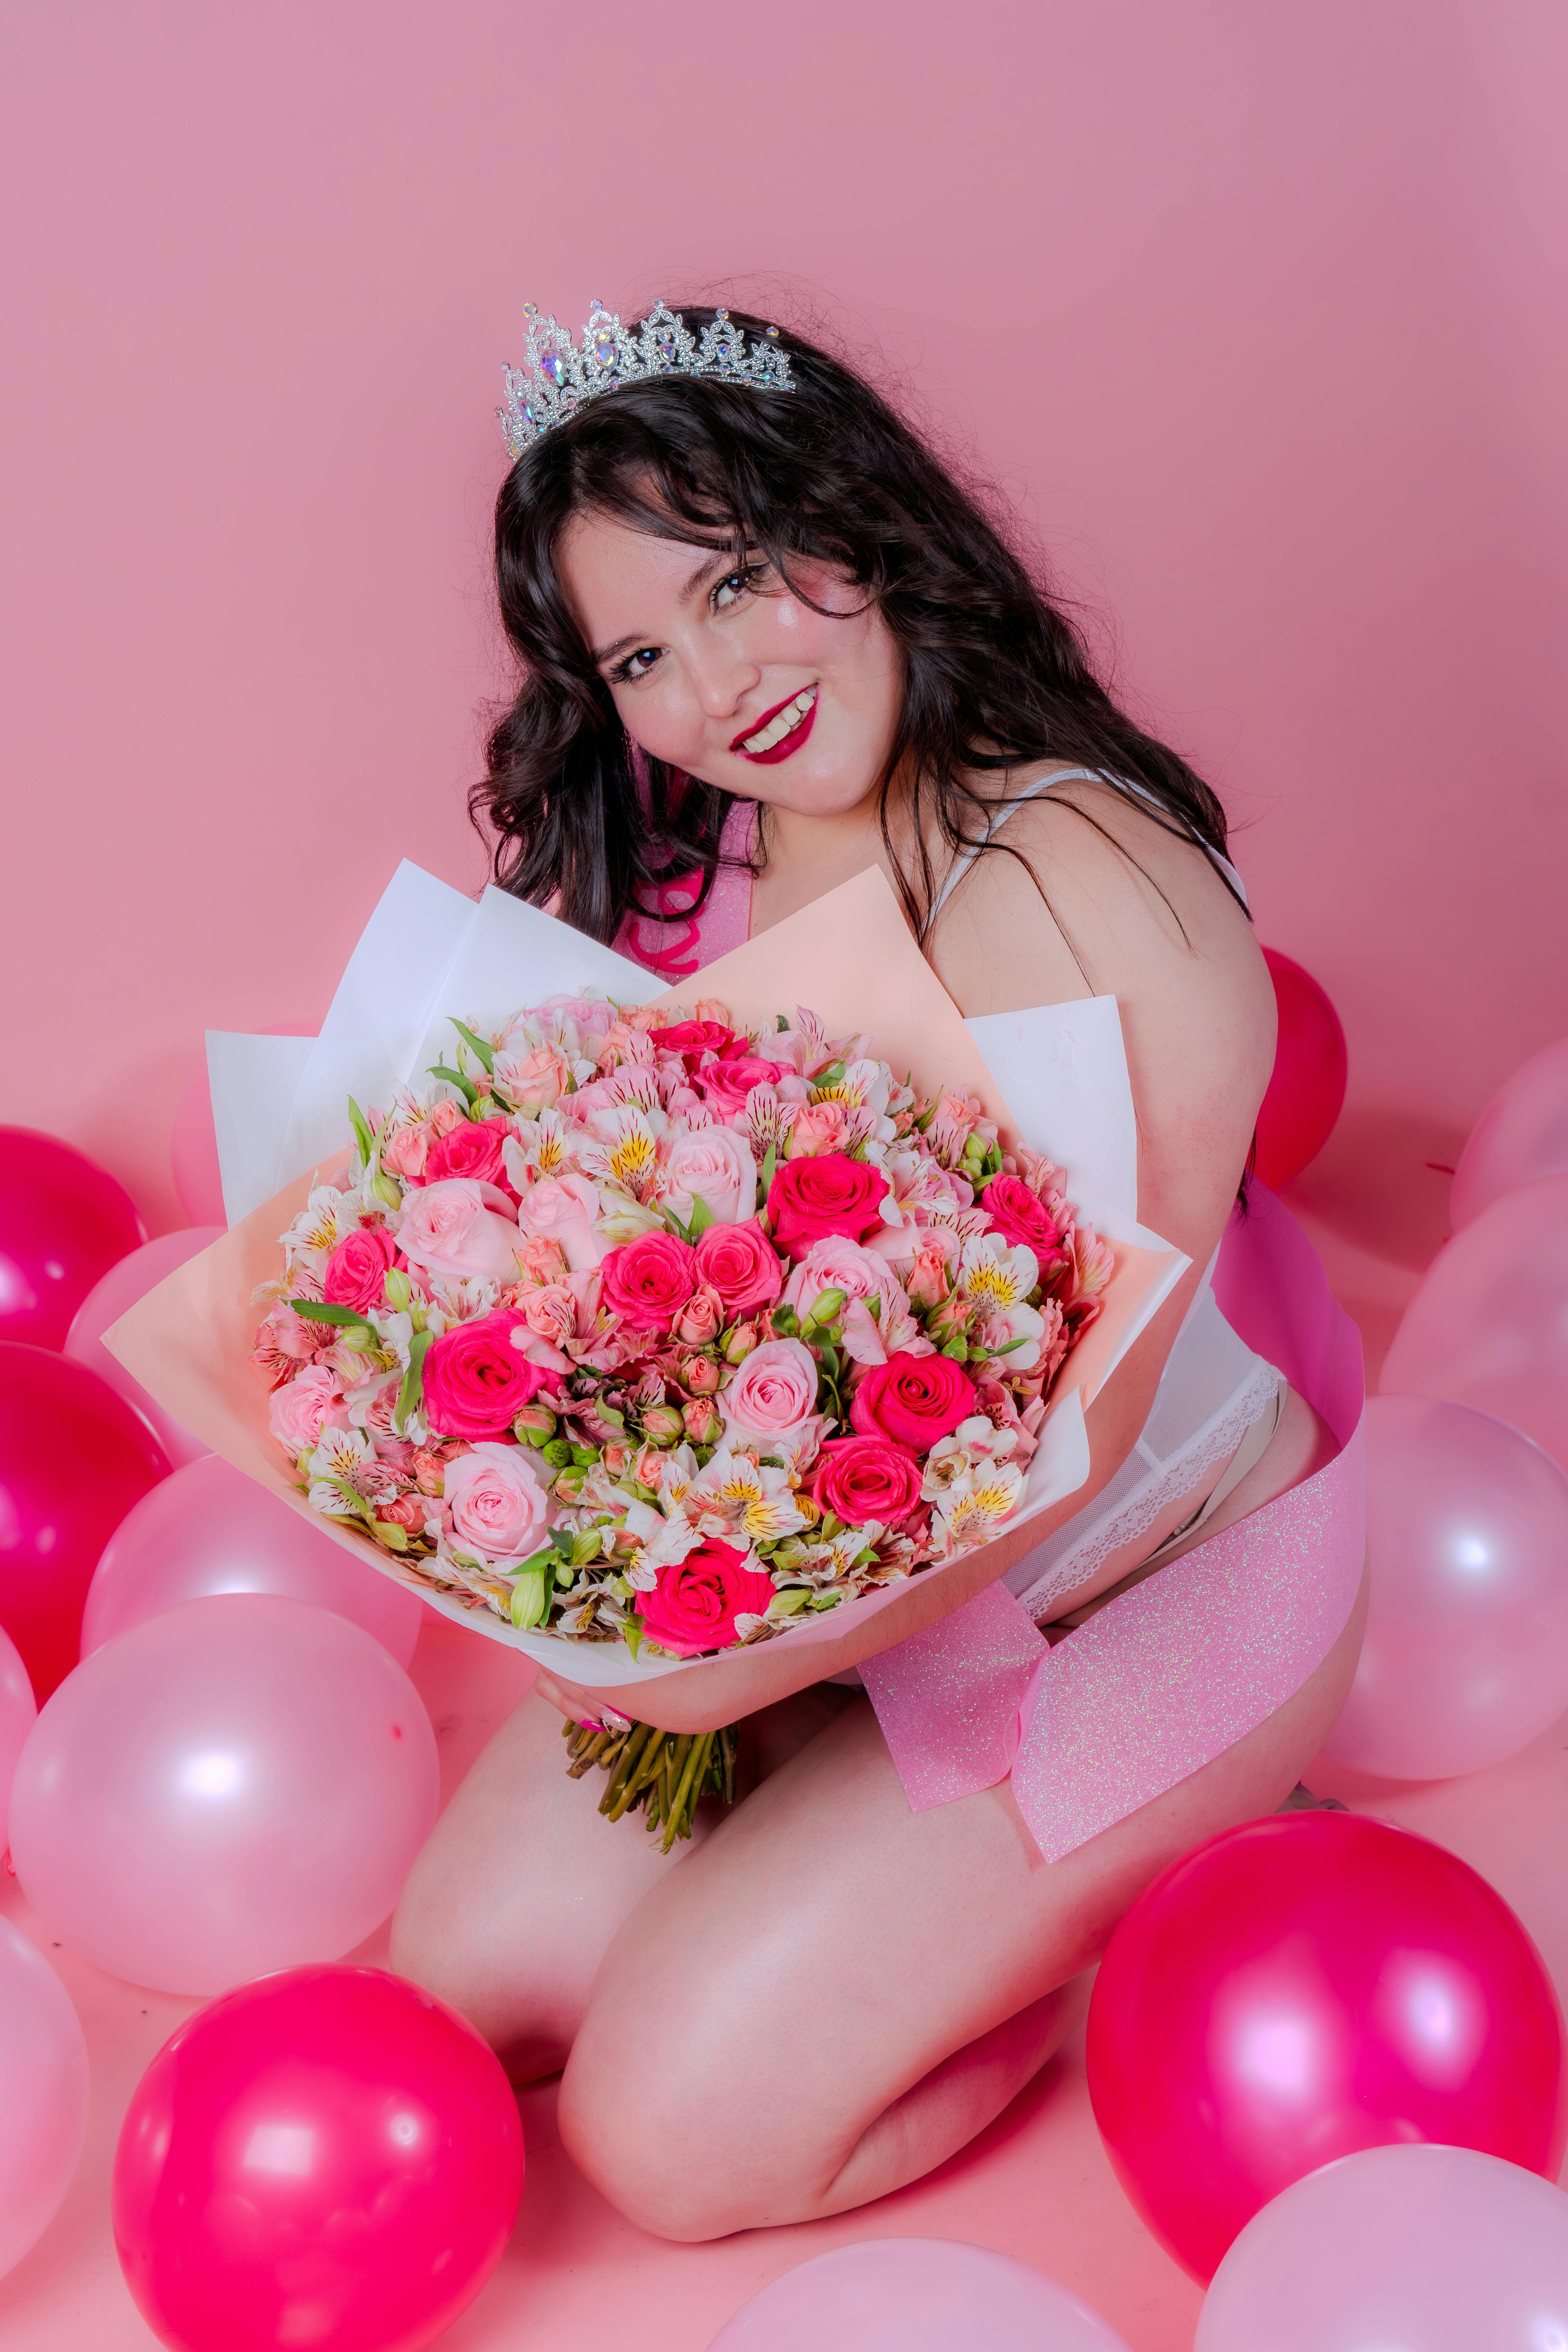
column 1120, row 907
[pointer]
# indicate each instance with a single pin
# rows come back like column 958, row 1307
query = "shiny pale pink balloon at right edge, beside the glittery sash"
column 1466, row 1652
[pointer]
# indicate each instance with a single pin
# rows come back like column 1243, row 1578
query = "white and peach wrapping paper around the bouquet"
column 429, row 954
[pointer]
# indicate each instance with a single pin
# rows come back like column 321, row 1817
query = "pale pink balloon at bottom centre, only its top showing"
column 916, row 2294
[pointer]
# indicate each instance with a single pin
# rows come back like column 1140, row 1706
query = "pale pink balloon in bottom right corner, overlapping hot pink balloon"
column 1398, row 2250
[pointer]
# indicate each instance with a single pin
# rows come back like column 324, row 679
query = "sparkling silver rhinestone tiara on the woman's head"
column 556, row 377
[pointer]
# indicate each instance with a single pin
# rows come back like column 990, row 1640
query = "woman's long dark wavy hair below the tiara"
column 996, row 671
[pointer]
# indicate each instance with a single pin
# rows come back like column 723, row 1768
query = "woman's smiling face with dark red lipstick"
column 730, row 676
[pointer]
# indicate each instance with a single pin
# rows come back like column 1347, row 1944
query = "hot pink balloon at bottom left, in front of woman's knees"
column 328, row 2158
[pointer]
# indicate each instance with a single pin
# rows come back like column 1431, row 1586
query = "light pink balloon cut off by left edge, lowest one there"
column 43, row 2094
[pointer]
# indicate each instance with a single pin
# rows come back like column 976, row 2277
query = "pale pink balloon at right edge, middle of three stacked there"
column 1489, row 1323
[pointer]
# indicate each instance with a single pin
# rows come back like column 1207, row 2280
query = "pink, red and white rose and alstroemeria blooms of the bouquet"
column 652, row 1330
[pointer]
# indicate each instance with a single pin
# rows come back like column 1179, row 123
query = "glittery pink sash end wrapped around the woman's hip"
column 1186, row 1664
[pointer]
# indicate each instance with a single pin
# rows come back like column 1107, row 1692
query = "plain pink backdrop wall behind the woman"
column 1249, row 307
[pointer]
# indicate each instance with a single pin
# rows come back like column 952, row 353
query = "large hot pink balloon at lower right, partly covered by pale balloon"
column 1304, row 1989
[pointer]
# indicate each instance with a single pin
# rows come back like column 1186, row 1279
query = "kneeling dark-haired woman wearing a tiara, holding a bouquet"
column 768, row 643
